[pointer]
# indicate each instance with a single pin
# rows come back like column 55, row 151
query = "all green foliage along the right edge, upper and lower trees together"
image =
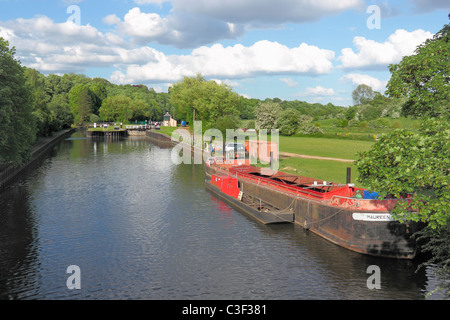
column 418, row 163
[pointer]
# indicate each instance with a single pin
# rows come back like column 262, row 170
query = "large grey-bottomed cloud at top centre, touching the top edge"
column 192, row 23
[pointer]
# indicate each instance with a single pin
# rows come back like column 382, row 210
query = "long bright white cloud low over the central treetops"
column 262, row 58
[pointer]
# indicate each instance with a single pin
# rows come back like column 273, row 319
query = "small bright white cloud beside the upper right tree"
column 376, row 55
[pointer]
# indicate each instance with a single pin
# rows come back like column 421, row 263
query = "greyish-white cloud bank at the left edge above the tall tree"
column 66, row 47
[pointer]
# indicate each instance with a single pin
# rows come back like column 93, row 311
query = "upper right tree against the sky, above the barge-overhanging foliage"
column 424, row 78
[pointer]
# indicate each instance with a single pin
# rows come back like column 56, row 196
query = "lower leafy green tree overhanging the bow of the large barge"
column 405, row 162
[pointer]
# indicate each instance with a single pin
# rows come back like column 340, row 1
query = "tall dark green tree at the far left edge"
column 17, row 127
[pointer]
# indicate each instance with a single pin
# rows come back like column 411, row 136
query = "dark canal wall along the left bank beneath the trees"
column 39, row 149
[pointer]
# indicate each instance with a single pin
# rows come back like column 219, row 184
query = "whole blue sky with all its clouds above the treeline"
column 315, row 51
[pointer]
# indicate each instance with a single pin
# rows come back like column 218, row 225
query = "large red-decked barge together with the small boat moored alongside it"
column 343, row 214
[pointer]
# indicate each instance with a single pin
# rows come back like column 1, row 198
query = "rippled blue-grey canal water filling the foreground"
column 140, row 227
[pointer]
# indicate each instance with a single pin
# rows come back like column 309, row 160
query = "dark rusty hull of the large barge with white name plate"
column 342, row 225
